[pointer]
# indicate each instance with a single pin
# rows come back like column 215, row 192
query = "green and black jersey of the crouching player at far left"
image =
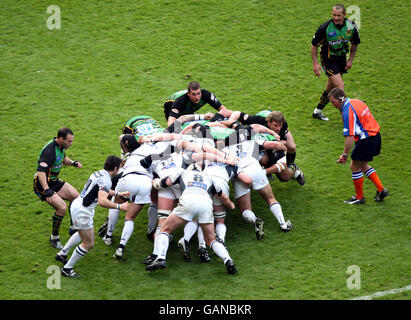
column 50, row 159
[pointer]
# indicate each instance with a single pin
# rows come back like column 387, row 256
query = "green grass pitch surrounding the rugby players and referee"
column 115, row 59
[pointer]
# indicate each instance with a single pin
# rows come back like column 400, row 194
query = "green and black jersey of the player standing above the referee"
column 334, row 39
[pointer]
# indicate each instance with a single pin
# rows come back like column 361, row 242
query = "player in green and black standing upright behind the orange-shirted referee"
column 333, row 36
